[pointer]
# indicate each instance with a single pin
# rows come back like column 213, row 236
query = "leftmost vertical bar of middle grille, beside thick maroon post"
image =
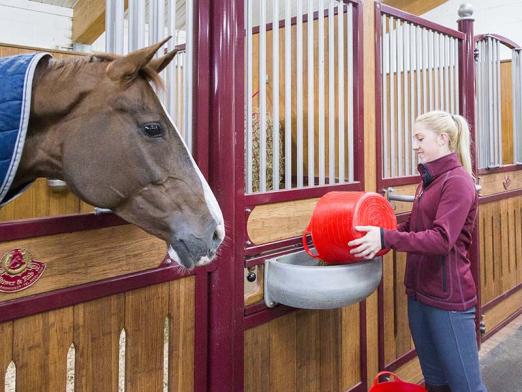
column 249, row 99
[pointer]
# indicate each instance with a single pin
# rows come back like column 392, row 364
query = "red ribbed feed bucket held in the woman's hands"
column 334, row 219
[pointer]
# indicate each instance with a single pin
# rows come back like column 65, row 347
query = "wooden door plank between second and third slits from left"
column 97, row 328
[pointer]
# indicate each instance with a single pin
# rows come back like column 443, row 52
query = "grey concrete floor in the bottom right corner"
column 501, row 359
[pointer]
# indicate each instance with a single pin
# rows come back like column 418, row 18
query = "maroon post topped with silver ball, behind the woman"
column 467, row 109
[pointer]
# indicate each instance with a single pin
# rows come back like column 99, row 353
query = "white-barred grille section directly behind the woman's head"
column 419, row 73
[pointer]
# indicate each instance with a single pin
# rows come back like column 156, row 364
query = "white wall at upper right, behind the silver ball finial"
column 502, row 17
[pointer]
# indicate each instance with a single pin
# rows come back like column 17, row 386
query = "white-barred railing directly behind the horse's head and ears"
column 148, row 22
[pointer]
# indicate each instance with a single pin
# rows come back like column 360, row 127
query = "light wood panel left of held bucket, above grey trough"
column 272, row 222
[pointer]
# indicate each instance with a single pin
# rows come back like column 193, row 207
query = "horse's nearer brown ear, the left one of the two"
column 126, row 68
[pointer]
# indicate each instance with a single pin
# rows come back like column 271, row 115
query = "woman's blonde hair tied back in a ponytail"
column 457, row 129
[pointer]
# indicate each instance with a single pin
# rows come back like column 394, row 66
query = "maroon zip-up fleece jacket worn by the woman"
column 437, row 236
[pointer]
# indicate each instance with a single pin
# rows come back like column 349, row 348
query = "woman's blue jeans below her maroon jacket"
column 446, row 344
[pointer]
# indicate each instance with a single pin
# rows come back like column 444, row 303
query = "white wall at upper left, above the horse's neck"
column 24, row 22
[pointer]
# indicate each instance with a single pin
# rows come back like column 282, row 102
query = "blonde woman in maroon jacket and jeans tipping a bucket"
column 441, row 291
